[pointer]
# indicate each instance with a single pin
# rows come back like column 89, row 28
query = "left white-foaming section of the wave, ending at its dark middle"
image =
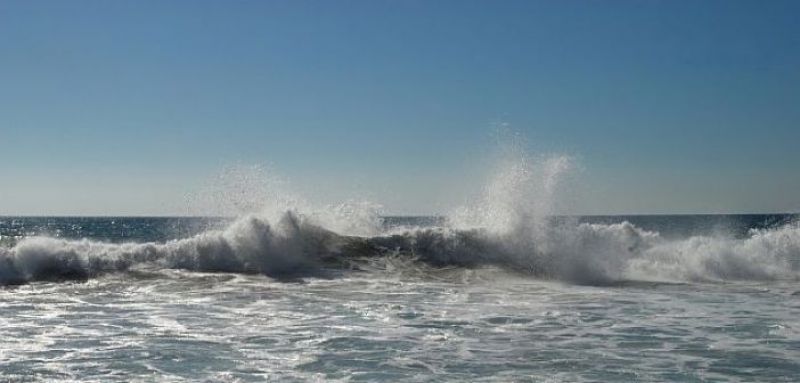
column 248, row 245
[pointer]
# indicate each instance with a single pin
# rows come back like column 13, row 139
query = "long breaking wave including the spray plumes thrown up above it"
column 511, row 225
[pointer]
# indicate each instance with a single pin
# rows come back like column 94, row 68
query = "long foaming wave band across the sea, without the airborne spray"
column 295, row 246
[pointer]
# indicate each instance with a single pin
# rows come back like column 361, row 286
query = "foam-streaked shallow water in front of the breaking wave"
column 451, row 325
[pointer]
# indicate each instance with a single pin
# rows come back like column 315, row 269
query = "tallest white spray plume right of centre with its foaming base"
column 514, row 223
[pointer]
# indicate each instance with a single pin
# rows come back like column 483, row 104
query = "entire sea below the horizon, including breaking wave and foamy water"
column 685, row 298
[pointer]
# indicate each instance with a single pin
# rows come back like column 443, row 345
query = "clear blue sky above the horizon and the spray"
column 124, row 107
